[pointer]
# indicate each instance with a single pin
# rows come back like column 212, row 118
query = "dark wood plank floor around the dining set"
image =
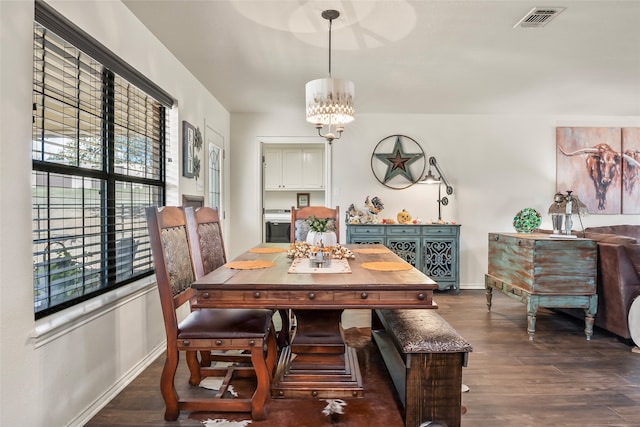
column 559, row 379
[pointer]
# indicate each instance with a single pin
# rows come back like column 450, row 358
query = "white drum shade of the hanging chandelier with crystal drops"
column 330, row 101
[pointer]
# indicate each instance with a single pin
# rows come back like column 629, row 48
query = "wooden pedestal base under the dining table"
column 318, row 363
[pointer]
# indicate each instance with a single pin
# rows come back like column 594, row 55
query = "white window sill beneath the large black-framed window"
column 59, row 324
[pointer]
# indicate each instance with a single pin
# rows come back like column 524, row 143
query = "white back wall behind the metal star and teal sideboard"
column 496, row 164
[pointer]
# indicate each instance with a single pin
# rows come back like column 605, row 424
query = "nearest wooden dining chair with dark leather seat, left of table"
column 204, row 330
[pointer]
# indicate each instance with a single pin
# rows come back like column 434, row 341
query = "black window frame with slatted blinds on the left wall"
column 115, row 75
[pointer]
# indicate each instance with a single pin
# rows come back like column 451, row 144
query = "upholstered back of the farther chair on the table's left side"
column 205, row 237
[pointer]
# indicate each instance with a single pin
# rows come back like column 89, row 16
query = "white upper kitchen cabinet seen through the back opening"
column 294, row 169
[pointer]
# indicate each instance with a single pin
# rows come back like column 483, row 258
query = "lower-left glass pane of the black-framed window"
column 67, row 236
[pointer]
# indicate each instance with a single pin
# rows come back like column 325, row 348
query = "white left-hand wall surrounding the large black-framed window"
column 57, row 371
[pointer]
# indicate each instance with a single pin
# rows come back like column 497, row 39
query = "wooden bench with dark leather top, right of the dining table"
column 424, row 356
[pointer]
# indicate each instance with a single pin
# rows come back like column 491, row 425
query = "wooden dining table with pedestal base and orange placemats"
column 318, row 362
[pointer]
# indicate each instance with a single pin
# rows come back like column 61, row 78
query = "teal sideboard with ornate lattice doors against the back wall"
column 431, row 248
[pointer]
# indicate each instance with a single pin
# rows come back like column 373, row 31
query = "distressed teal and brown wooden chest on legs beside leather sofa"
column 542, row 271
